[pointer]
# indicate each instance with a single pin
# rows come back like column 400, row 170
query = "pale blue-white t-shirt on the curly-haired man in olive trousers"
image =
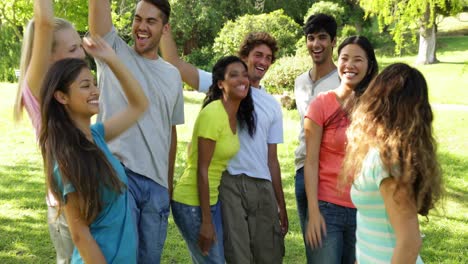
column 252, row 158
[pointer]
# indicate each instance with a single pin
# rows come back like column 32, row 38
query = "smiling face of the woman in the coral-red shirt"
column 352, row 65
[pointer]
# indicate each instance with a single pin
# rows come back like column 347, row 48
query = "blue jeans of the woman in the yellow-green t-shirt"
column 188, row 220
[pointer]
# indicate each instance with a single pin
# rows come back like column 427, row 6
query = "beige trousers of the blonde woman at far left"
column 60, row 235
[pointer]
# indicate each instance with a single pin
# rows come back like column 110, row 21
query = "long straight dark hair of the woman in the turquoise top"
column 80, row 162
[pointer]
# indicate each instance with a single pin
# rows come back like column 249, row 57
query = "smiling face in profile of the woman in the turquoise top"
column 82, row 98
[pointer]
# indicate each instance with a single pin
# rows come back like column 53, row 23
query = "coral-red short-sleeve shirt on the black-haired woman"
column 326, row 111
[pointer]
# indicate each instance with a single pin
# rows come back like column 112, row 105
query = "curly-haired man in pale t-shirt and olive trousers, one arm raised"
column 251, row 191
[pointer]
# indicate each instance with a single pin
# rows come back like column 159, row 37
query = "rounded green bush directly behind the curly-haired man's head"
column 279, row 25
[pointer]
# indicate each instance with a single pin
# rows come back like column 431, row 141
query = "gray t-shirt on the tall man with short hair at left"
column 144, row 148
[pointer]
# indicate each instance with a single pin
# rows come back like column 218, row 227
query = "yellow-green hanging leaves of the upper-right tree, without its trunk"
column 406, row 17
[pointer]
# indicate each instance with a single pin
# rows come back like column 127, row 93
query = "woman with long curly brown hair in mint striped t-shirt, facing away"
column 391, row 156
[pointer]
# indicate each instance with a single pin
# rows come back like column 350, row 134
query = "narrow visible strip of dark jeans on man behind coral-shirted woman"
column 302, row 209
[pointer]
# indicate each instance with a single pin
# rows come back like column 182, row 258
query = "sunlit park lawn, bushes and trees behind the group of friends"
column 207, row 29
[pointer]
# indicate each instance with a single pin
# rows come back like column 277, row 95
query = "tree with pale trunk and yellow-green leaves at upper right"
column 408, row 15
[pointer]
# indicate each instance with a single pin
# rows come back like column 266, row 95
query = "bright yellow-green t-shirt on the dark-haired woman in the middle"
column 212, row 123
